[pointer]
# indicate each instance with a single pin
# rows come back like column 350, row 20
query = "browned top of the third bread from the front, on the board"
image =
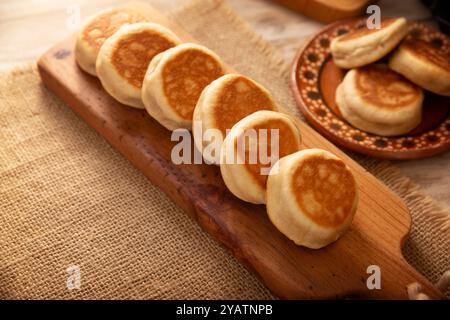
column 239, row 98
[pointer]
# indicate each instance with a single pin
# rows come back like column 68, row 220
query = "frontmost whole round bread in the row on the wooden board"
column 313, row 197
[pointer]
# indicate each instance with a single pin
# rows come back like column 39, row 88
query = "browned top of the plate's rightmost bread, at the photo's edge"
column 427, row 52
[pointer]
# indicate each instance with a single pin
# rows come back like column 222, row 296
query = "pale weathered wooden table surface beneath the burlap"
column 30, row 27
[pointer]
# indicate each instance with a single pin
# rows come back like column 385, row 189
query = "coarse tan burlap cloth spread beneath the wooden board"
column 68, row 198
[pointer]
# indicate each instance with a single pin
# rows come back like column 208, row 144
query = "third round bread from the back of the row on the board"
column 175, row 80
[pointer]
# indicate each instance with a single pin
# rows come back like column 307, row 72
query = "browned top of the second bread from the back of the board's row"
column 135, row 51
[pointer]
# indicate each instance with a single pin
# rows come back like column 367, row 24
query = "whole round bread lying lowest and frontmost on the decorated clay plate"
column 378, row 100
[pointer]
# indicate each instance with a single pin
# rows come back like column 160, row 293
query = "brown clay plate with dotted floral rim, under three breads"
column 315, row 78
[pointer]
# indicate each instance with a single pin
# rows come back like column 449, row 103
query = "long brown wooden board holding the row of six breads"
column 380, row 226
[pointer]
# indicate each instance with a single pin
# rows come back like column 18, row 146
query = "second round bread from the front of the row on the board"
column 250, row 150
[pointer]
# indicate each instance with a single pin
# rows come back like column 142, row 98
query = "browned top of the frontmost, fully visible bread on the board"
column 325, row 190
